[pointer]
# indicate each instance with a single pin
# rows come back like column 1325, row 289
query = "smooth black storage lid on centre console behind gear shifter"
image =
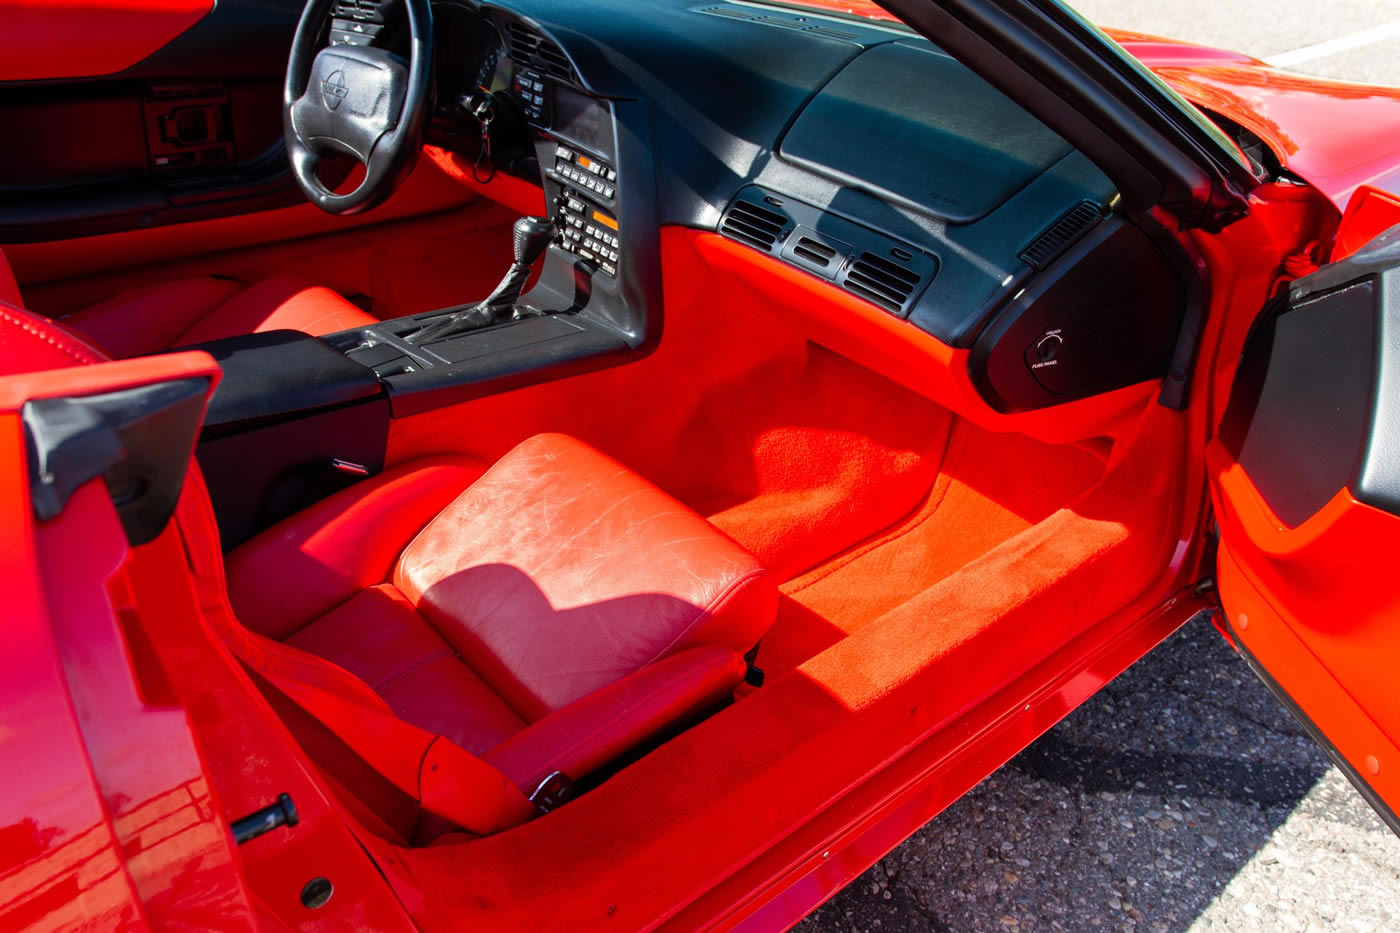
column 282, row 373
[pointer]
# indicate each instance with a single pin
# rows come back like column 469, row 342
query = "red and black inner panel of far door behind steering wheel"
column 181, row 123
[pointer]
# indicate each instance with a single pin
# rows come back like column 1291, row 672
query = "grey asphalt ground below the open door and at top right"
column 1182, row 796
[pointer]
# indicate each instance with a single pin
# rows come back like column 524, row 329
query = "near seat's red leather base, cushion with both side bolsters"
column 549, row 616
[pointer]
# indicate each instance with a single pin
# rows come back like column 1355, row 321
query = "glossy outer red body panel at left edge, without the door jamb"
column 111, row 820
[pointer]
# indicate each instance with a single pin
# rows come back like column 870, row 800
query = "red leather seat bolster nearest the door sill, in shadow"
column 600, row 728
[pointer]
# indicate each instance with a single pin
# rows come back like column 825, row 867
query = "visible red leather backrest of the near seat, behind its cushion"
column 442, row 777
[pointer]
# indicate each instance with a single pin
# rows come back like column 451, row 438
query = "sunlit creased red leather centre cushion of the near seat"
column 561, row 571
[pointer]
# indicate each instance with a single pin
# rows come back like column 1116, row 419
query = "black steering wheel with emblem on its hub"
column 359, row 102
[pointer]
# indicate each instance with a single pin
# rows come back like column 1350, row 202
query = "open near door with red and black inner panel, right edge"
column 1305, row 478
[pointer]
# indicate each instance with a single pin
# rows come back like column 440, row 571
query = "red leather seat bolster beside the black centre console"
column 317, row 560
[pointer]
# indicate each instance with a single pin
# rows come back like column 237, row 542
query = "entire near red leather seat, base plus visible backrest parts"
column 464, row 633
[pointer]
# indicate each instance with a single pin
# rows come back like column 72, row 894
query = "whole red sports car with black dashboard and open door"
column 677, row 452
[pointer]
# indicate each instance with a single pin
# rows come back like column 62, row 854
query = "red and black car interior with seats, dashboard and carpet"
column 730, row 397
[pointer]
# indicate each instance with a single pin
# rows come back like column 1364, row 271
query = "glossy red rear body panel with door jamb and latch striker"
column 128, row 718
